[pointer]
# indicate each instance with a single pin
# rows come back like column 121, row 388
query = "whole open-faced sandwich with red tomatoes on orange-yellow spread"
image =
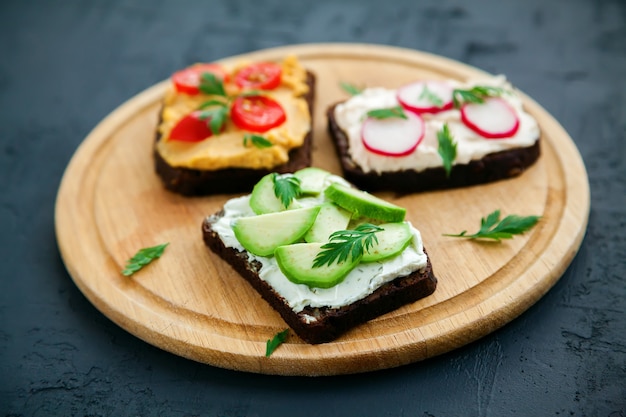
column 221, row 129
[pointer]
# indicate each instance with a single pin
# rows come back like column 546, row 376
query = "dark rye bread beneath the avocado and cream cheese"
column 331, row 322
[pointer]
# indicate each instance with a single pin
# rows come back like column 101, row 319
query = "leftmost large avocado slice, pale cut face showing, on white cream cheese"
column 262, row 234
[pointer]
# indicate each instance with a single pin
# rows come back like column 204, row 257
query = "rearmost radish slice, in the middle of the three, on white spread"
column 426, row 96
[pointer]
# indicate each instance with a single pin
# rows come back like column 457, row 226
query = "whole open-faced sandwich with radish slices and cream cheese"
column 433, row 134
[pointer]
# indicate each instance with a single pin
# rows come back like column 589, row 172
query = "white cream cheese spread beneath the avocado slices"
column 360, row 282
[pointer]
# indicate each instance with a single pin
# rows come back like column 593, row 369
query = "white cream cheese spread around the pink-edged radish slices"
column 470, row 145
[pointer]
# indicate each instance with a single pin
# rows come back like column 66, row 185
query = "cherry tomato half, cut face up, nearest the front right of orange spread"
column 257, row 113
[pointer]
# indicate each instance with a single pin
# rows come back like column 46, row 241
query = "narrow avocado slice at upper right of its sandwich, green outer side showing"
column 364, row 204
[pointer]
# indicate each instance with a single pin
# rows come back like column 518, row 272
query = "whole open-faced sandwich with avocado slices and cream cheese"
column 324, row 254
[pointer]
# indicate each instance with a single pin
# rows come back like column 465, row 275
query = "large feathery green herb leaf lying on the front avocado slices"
column 344, row 243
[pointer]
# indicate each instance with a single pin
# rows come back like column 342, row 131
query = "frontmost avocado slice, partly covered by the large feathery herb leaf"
column 296, row 262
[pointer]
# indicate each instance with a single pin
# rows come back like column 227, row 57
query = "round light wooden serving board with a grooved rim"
column 191, row 303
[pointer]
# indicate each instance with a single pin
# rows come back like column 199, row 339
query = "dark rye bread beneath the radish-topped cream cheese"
column 492, row 167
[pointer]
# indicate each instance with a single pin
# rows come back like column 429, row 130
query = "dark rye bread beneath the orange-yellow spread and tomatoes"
column 196, row 182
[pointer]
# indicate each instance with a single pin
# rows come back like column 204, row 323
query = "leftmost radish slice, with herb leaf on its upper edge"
column 393, row 136
